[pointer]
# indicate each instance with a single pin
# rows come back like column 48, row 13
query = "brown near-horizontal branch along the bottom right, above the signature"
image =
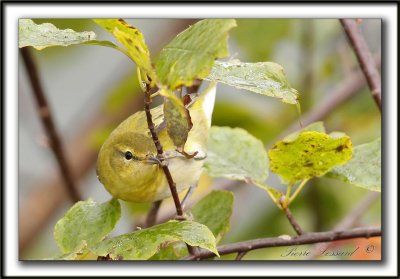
column 308, row 238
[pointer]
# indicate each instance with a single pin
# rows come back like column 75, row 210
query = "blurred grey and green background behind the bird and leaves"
column 90, row 88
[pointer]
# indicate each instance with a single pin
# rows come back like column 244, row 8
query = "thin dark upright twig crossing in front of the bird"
column 160, row 152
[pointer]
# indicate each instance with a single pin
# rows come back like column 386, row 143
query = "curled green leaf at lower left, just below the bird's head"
column 87, row 221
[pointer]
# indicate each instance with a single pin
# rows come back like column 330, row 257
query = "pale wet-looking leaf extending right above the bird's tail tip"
column 265, row 78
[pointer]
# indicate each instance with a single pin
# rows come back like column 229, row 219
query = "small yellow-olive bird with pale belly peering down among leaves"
column 126, row 163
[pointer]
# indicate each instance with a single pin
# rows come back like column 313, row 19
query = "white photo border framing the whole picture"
column 12, row 11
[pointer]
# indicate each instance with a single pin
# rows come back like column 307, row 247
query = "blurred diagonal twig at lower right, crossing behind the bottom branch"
column 350, row 219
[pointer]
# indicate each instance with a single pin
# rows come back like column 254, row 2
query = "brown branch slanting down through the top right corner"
column 364, row 58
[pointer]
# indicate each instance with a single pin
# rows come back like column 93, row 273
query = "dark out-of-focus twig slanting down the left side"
column 48, row 123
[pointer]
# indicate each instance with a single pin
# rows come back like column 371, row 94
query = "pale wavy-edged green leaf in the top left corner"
column 45, row 35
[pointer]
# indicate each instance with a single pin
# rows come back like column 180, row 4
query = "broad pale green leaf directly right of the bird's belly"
column 235, row 154
